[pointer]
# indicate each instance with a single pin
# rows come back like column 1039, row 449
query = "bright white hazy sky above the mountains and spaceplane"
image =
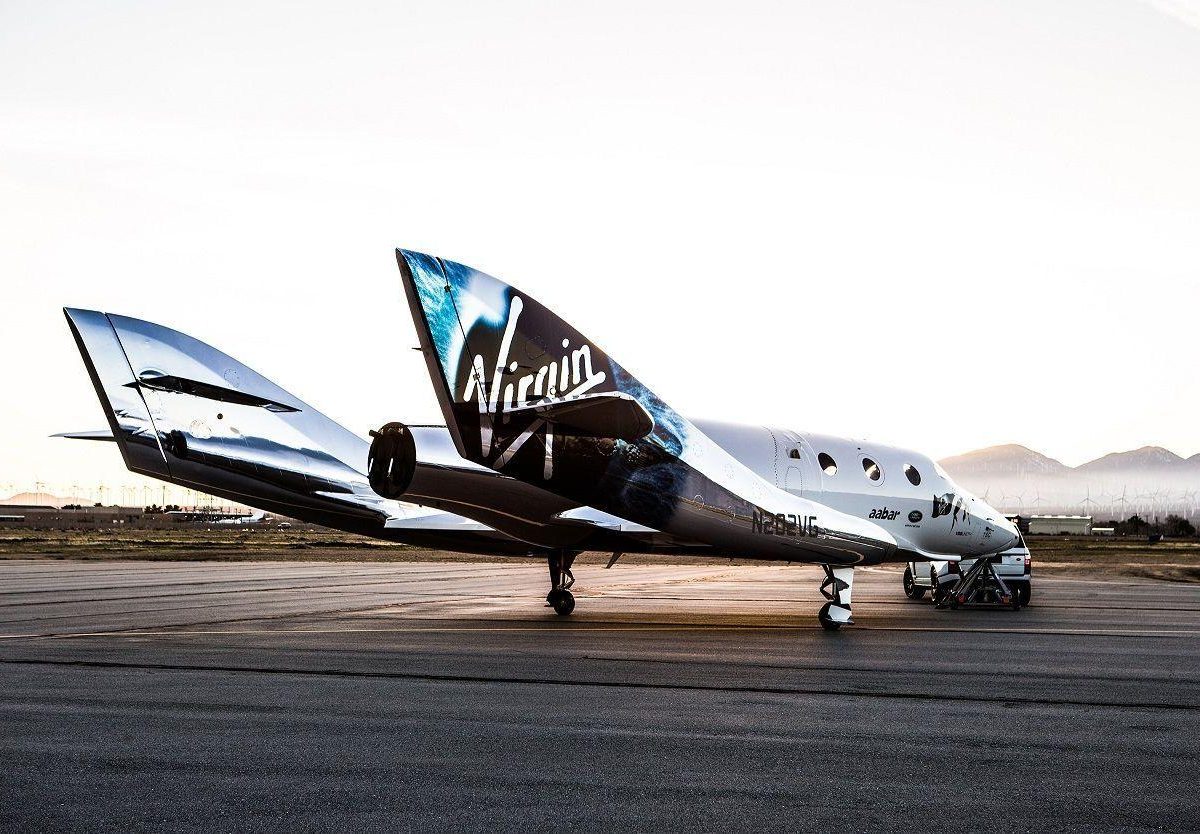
column 941, row 225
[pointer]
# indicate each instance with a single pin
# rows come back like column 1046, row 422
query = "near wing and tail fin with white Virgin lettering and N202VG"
column 513, row 380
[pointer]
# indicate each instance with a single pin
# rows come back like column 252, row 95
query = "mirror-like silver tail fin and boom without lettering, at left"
column 232, row 433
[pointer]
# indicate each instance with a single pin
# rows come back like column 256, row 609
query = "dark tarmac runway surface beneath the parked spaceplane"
column 445, row 697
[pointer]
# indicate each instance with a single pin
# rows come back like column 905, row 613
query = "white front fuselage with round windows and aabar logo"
column 904, row 493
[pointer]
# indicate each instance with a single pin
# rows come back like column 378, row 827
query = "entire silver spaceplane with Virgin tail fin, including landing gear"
column 549, row 449
